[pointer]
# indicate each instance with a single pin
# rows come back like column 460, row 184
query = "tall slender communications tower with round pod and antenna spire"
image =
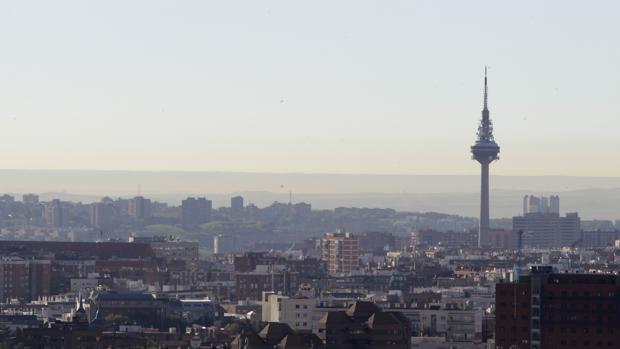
column 485, row 151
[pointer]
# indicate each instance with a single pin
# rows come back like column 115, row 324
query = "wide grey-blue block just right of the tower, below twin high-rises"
column 544, row 230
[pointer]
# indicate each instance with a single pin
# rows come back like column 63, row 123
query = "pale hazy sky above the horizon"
column 309, row 86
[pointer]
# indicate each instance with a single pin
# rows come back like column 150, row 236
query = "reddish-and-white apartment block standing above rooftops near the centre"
column 341, row 252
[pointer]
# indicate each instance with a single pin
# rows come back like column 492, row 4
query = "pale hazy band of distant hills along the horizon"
column 592, row 197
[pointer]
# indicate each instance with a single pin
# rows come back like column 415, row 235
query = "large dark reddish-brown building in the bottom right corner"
column 558, row 310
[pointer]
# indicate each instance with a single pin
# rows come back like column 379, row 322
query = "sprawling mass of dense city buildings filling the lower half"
column 225, row 282
